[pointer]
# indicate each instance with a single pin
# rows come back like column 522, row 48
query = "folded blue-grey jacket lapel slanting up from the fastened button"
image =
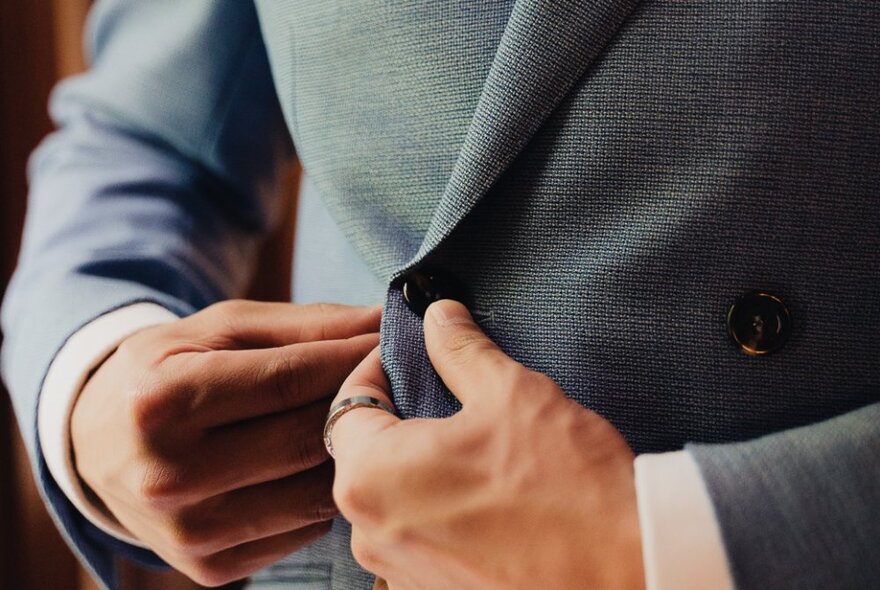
column 546, row 46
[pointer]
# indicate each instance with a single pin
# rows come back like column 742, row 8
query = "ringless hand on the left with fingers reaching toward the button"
column 203, row 437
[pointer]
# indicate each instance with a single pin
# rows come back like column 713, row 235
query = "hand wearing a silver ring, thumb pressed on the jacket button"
column 523, row 488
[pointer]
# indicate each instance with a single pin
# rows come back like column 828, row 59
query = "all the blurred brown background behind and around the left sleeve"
column 40, row 43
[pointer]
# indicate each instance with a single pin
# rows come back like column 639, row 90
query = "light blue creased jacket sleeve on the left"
column 156, row 187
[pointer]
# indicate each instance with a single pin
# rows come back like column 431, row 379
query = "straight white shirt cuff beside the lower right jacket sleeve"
column 681, row 540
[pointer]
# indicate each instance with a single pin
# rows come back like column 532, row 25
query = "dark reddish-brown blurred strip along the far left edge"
column 32, row 554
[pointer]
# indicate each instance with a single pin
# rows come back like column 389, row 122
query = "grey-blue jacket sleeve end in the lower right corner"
column 800, row 508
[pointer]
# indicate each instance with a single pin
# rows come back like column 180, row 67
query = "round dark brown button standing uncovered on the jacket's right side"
column 759, row 323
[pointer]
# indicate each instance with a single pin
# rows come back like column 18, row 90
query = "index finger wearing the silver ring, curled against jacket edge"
column 360, row 424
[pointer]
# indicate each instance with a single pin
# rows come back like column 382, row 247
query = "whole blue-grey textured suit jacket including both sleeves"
column 600, row 180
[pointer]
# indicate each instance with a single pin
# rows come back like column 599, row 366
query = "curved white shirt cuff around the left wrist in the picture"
column 67, row 374
